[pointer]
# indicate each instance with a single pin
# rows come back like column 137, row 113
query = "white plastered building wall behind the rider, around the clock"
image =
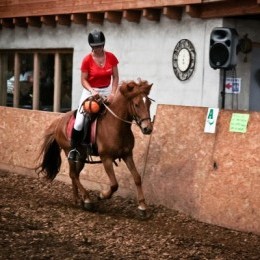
column 144, row 50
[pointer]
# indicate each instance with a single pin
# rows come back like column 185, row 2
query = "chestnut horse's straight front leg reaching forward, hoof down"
column 138, row 182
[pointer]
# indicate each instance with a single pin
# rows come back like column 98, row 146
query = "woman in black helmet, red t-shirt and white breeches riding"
column 97, row 69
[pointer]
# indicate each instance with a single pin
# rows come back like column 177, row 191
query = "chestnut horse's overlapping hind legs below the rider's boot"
column 80, row 194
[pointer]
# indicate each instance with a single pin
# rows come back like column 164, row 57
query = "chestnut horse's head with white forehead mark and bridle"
column 139, row 103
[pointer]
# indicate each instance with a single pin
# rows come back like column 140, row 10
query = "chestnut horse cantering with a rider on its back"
column 114, row 140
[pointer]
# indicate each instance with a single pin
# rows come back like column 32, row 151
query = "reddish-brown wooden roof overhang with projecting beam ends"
column 24, row 13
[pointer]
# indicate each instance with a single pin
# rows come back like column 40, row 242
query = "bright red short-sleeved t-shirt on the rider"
column 99, row 76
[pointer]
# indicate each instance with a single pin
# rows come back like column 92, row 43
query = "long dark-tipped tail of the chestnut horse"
column 51, row 161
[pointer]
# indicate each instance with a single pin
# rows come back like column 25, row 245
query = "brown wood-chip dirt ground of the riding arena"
column 39, row 221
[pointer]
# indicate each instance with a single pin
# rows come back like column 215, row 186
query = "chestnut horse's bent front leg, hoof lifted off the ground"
column 108, row 165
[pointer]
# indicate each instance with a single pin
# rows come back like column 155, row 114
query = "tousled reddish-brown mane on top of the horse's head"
column 131, row 89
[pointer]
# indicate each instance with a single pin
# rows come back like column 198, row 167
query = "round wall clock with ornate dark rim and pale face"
column 183, row 59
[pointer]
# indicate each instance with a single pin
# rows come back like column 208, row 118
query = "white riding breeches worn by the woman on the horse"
column 78, row 125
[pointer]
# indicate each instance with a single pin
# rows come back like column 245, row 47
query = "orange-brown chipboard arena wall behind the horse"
column 213, row 177
